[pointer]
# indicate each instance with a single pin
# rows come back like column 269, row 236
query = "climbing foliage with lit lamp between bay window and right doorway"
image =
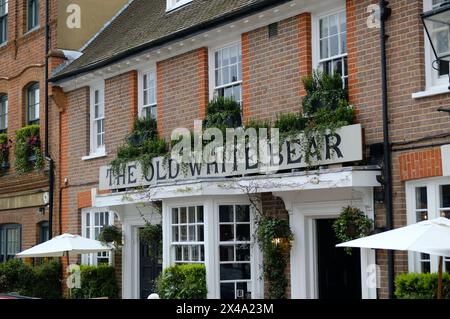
column 275, row 236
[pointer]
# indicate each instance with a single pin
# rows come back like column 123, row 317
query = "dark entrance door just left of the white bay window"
column 150, row 268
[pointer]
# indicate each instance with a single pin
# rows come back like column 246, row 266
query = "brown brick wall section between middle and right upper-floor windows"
column 271, row 70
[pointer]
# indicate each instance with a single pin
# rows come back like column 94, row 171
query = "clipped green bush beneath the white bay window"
column 182, row 282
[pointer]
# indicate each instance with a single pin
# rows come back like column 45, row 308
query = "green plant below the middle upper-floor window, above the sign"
column 223, row 113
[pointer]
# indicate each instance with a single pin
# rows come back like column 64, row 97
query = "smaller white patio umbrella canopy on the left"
column 65, row 244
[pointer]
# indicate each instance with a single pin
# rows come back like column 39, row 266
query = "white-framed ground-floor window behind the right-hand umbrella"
column 434, row 211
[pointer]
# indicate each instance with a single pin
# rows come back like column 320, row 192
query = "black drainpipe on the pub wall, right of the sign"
column 387, row 167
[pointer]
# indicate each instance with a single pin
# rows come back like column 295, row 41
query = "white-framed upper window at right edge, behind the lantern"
column 434, row 82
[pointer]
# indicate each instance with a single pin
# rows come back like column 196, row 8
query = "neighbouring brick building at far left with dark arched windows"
column 24, row 210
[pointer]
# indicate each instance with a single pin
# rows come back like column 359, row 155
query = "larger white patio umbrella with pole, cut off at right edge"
column 430, row 237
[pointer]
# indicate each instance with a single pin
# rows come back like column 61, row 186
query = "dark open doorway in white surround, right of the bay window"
column 339, row 273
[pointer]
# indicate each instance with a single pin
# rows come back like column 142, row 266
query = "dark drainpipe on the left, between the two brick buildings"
column 51, row 163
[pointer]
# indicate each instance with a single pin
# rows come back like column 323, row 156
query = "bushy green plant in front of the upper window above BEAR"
column 323, row 91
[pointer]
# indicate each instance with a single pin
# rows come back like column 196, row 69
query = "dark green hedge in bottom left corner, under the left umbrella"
column 43, row 281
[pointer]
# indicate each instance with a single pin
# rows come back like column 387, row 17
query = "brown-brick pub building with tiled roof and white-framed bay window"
column 163, row 58
